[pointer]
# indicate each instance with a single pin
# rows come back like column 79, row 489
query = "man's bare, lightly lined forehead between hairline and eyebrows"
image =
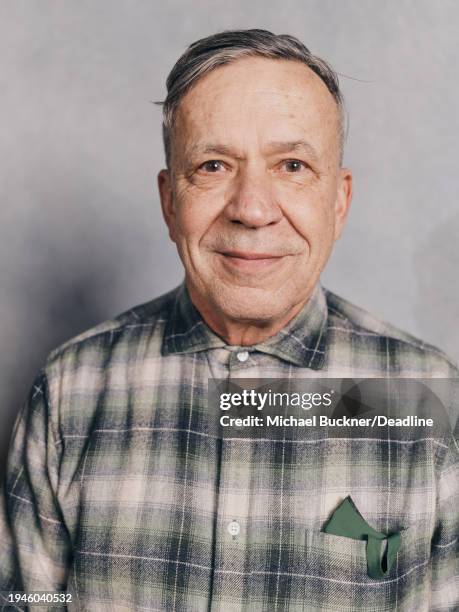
column 258, row 99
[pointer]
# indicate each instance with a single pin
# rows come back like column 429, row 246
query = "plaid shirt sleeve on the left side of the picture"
column 35, row 546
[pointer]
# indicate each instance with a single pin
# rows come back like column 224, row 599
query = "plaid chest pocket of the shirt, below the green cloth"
column 337, row 574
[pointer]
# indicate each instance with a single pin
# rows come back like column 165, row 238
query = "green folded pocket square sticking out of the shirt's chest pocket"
column 347, row 521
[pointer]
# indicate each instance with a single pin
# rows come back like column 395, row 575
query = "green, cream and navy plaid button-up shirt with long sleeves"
column 117, row 492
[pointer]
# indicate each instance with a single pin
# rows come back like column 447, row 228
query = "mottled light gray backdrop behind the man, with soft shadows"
column 81, row 234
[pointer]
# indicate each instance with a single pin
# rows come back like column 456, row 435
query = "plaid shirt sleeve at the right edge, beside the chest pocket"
column 445, row 551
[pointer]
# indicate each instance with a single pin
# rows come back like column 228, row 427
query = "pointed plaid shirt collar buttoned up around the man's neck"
column 301, row 342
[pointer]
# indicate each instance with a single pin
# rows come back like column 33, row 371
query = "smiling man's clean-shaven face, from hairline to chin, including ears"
column 255, row 196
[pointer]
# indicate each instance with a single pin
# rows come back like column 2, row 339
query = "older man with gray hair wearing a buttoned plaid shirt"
column 119, row 494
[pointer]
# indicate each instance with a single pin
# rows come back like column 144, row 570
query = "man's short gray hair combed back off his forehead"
column 223, row 48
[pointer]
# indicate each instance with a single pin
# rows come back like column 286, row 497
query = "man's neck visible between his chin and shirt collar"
column 241, row 332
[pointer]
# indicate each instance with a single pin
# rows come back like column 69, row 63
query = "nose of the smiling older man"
column 252, row 202
